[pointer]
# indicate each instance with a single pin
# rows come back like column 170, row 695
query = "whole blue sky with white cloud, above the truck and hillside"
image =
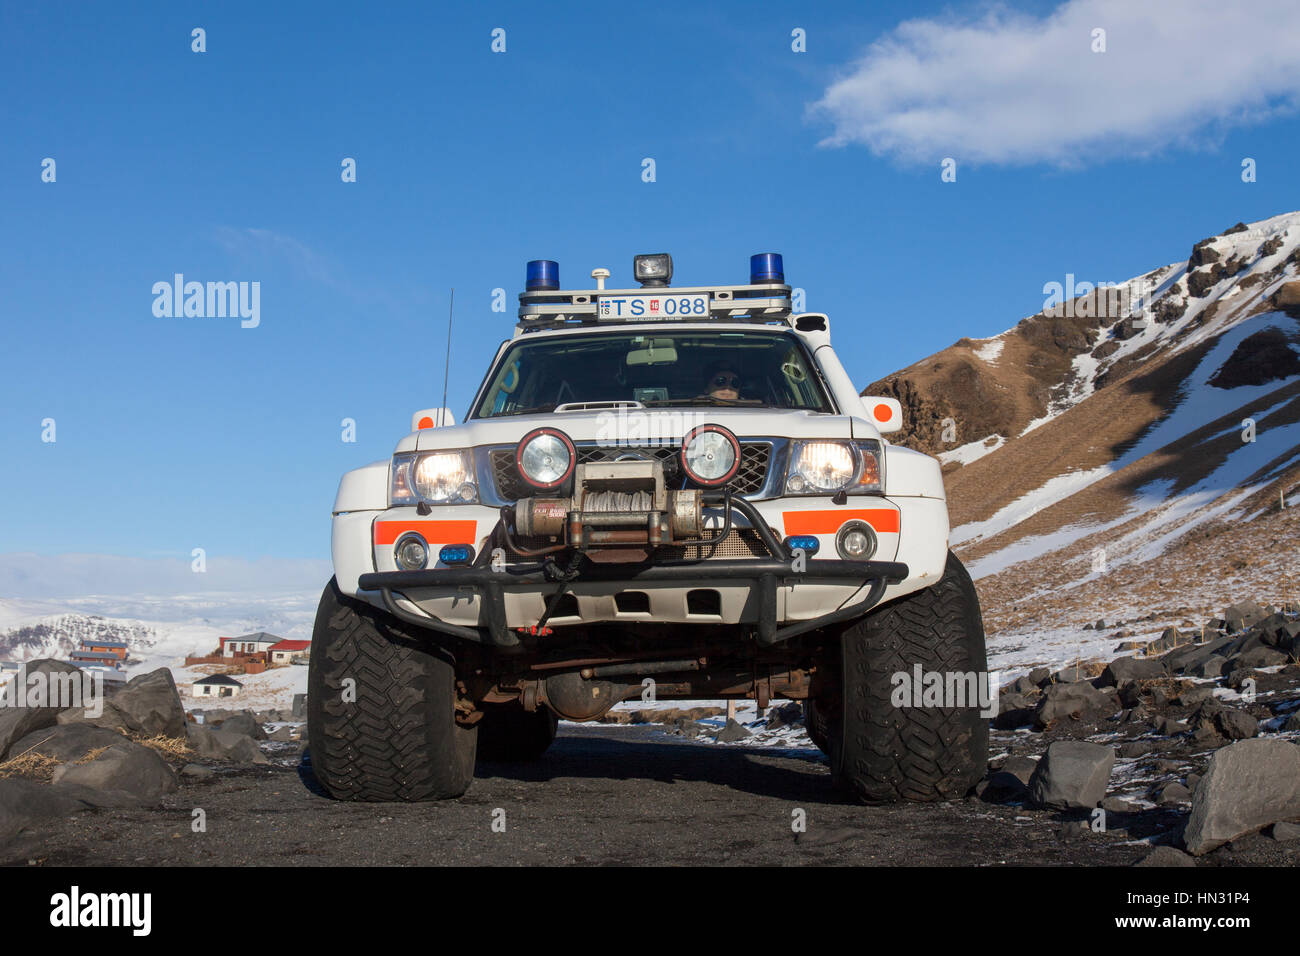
column 224, row 166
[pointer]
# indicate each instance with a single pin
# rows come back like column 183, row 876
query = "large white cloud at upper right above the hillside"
column 1011, row 89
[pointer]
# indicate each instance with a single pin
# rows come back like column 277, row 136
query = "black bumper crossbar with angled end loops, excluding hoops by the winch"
column 761, row 577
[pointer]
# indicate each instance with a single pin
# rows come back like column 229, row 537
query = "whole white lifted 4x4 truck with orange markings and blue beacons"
column 657, row 494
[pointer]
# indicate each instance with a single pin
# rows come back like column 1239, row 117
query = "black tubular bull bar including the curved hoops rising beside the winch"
column 762, row 574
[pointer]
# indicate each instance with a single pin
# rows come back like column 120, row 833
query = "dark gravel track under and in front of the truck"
column 603, row 795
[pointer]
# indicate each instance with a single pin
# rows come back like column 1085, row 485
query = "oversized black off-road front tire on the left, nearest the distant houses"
column 393, row 734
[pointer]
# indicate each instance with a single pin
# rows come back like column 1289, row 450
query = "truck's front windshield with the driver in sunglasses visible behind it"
column 727, row 369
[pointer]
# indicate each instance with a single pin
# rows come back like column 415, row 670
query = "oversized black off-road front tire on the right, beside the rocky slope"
column 882, row 752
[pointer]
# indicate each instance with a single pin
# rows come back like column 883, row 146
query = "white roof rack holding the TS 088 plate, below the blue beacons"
column 557, row 309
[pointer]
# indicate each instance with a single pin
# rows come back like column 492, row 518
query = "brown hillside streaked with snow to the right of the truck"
column 1084, row 442
